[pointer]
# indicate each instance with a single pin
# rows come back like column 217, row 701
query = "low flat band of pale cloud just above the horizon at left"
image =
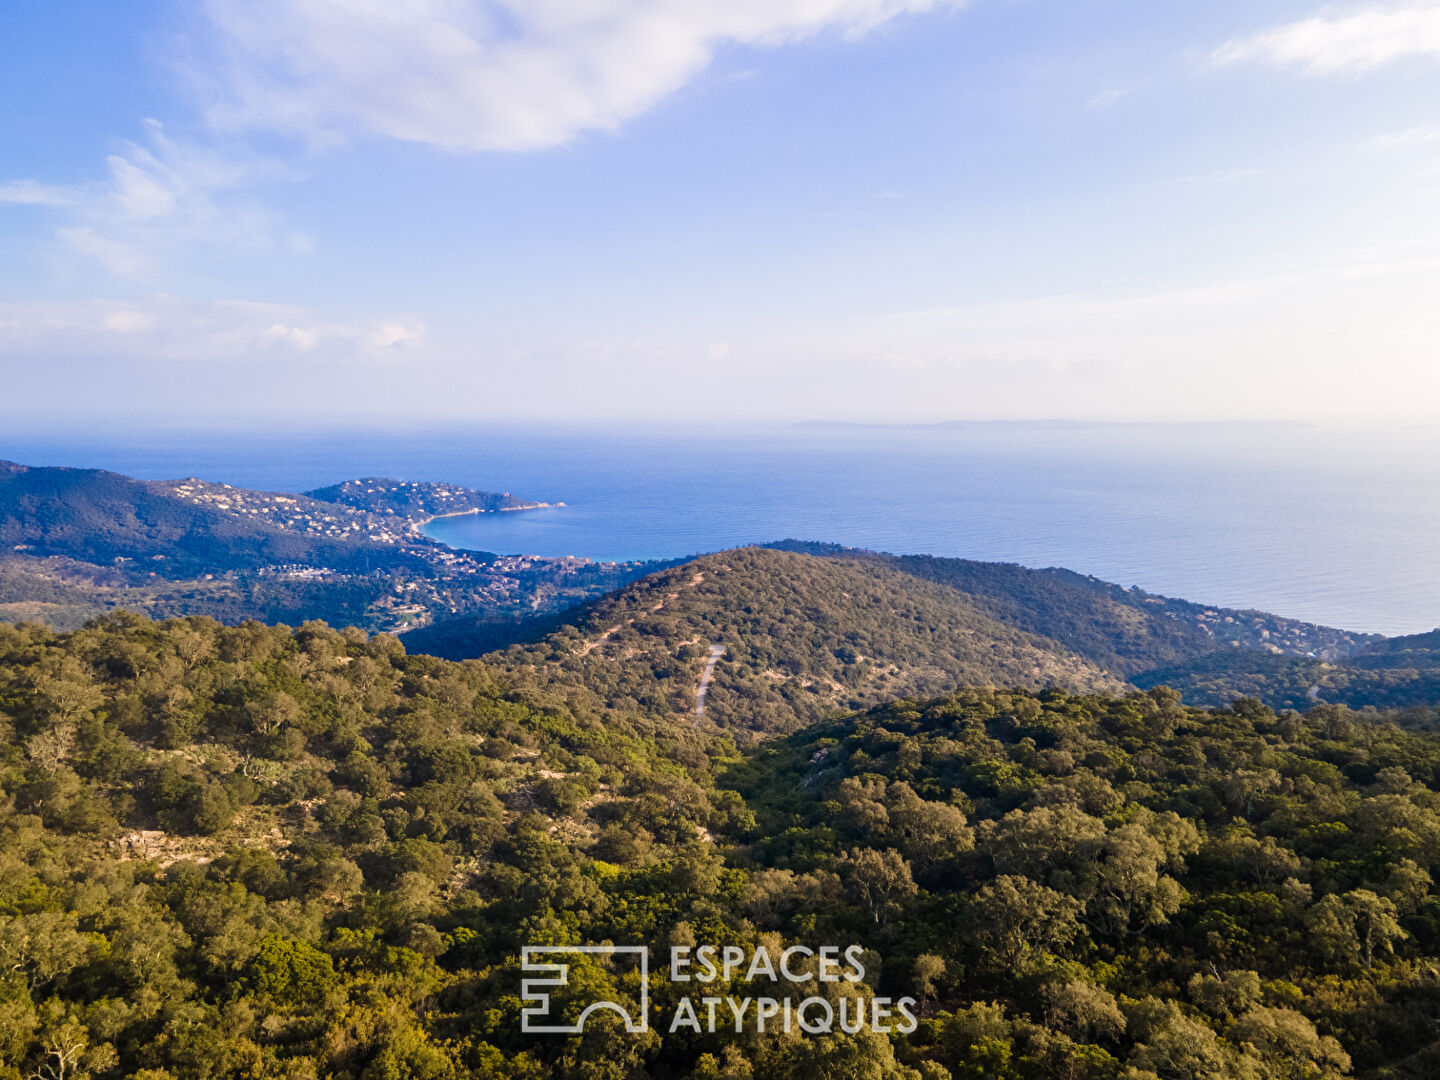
column 194, row 332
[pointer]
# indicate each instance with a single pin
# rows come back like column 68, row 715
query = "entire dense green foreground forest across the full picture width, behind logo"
column 266, row 853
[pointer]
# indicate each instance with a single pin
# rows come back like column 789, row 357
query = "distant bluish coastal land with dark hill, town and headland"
column 76, row 544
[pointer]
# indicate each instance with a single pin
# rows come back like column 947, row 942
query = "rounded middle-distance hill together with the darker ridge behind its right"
column 813, row 629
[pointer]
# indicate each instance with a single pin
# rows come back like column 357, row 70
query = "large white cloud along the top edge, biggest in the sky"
column 483, row 74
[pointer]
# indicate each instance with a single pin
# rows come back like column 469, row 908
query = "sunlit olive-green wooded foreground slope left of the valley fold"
column 299, row 853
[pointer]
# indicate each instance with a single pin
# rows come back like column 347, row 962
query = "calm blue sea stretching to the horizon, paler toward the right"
column 1331, row 526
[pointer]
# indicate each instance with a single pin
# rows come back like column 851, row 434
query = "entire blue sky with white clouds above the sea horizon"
column 644, row 211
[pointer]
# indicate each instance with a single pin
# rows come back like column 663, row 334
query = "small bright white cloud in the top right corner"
column 1360, row 41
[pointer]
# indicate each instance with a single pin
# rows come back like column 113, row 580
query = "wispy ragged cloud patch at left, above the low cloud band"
column 159, row 198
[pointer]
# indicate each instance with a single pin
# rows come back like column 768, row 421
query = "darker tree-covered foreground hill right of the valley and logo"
column 1121, row 888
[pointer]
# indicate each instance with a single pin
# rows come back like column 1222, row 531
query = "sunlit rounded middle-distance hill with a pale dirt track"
column 803, row 637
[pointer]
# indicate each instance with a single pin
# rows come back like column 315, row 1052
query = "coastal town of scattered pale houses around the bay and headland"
column 413, row 581
